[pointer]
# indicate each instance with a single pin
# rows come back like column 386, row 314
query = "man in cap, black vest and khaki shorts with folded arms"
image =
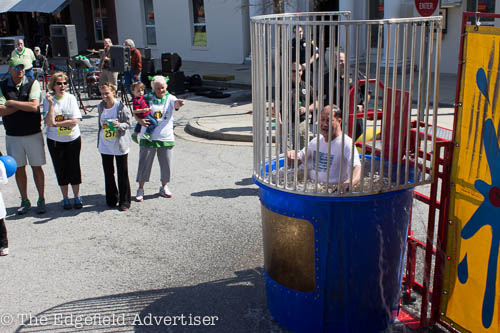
column 20, row 111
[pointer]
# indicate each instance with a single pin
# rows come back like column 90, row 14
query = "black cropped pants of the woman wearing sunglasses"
column 66, row 161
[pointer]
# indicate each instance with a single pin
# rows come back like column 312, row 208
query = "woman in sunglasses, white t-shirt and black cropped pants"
column 61, row 113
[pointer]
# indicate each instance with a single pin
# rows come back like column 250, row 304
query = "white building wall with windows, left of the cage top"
column 197, row 30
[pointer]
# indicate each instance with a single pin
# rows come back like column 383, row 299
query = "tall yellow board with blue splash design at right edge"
column 471, row 289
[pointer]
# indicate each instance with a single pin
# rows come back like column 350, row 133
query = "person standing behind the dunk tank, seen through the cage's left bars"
column 303, row 110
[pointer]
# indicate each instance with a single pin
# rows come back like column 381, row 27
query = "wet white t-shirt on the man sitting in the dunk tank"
column 335, row 157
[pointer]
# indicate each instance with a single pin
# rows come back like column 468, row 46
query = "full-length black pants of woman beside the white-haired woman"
column 120, row 195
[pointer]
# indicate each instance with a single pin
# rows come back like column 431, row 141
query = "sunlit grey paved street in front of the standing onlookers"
column 190, row 262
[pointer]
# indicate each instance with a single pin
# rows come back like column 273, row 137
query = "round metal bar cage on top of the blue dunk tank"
column 382, row 74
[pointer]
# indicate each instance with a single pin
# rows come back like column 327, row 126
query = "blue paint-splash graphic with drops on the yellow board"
column 484, row 216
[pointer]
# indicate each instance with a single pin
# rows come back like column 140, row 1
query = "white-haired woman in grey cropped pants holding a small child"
column 162, row 140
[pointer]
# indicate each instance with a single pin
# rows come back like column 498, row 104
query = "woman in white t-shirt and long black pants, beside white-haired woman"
column 113, row 142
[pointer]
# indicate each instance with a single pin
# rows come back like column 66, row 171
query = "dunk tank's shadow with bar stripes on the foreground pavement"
column 227, row 305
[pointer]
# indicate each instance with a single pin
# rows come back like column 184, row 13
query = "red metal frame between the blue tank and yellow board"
column 443, row 205
